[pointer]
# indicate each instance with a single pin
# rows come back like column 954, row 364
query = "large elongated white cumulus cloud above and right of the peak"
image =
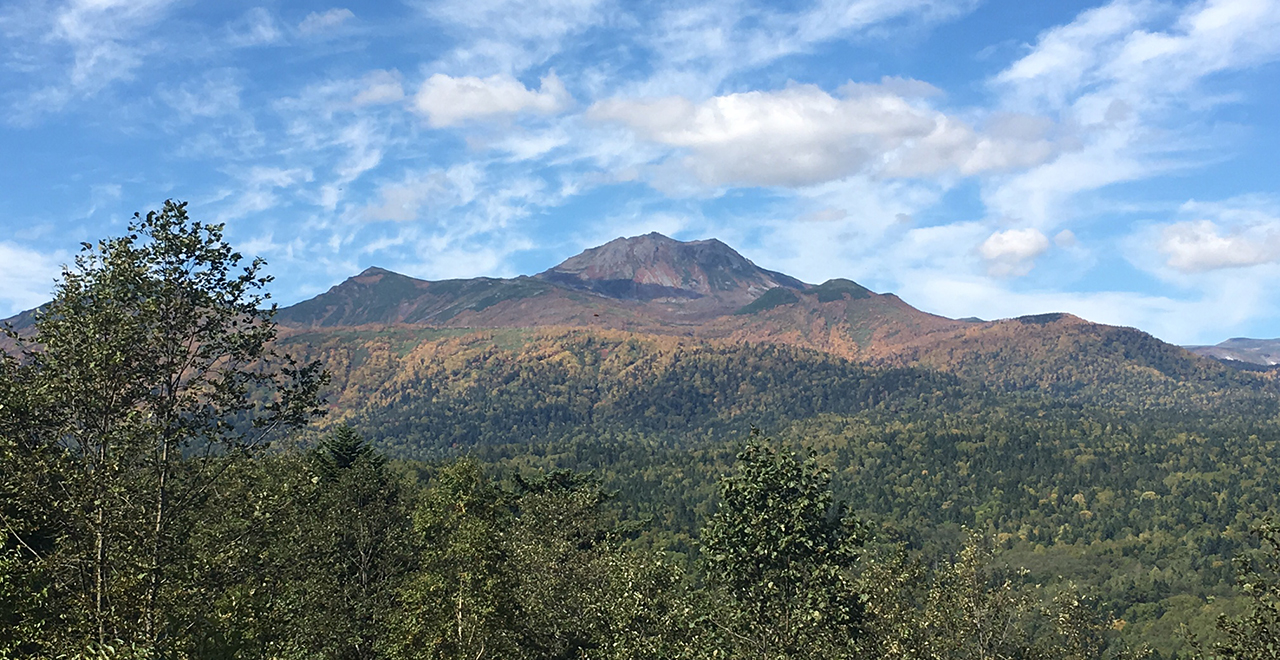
column 803, row 136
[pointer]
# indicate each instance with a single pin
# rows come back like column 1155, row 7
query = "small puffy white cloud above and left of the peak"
column 450, row 102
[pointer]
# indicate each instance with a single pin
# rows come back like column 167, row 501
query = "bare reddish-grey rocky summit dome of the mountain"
column 655, row 267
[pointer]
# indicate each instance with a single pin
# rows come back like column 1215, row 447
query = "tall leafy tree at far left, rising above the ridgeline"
column 154, row 364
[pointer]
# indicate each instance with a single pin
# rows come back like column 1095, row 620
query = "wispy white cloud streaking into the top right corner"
column 1127, row 77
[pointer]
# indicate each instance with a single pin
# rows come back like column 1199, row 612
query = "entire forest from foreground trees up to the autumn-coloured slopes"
column 181, row 479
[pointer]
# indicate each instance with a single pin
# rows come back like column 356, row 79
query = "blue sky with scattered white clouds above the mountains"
column 977, row 158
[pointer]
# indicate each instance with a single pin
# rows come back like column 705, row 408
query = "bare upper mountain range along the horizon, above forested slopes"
column 706, row 291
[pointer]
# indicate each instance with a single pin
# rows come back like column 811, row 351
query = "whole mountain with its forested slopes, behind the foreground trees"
column 1090, row 453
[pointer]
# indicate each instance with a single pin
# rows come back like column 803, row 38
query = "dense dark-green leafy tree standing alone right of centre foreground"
column 783, row 553
